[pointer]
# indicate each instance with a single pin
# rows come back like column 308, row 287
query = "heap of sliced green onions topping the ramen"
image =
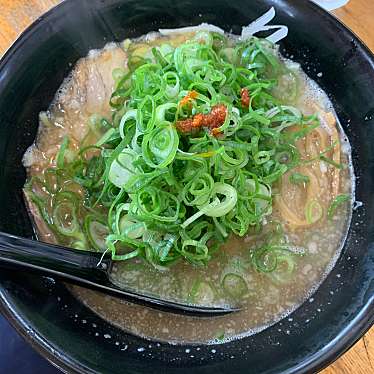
column 154, row 192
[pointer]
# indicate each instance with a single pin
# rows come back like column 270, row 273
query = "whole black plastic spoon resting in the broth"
column 85, row 268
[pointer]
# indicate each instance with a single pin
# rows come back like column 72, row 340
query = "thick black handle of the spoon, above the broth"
column 52, row 259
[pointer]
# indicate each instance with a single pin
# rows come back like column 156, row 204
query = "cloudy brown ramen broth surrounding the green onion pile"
column 243, row 270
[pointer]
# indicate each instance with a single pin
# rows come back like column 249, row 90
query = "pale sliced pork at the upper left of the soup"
column 85, row 92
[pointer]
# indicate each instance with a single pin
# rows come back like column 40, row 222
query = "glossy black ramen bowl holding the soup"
column 72, row 336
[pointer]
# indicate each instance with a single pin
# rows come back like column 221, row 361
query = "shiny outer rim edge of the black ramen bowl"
column 347, row 337
